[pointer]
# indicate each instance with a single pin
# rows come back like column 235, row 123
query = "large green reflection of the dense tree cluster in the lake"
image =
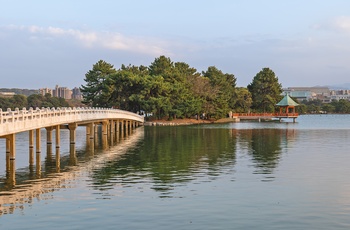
column 169, row 156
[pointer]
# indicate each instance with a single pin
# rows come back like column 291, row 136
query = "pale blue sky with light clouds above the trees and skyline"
column 47, row 43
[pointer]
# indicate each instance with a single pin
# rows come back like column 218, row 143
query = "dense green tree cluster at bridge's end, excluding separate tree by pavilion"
column 164, row 89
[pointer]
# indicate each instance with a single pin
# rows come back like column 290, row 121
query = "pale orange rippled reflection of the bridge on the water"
column 31, row 185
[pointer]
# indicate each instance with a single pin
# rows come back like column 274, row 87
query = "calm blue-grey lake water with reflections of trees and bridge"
column 245, row 175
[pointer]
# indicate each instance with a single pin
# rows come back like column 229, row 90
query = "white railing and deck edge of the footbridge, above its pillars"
column 14, row 121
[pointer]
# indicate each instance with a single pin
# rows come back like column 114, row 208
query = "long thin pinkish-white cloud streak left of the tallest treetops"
column 104, row 40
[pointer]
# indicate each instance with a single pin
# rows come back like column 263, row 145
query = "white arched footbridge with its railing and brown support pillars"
column 112, row 123
